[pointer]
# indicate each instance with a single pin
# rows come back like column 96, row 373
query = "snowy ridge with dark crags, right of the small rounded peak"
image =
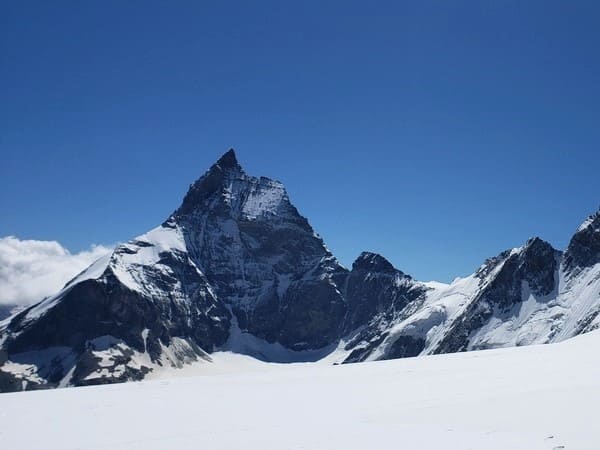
column 533, row 294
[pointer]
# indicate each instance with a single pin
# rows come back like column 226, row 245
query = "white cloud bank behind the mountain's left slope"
column 31, row 270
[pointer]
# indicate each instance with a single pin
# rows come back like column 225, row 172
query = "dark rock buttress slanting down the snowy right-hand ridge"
column 501, row 290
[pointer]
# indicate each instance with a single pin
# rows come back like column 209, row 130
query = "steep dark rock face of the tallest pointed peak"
column 262, row 257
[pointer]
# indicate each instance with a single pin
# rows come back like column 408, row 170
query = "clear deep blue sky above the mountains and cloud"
column 436, row 133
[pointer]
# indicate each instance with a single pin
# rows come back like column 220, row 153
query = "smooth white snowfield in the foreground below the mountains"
column 535, row 397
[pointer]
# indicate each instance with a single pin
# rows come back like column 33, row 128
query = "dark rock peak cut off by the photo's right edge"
column 584, row 248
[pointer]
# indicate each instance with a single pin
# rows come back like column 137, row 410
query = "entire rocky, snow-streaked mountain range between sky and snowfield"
column 237, row 267
